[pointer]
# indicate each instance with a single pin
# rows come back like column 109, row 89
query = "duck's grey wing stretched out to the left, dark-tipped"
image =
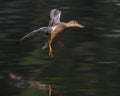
column 44, row 30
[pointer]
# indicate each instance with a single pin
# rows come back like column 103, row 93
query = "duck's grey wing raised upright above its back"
column 54, row 17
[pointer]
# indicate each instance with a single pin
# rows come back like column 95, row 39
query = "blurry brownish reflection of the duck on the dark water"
column 19, row 82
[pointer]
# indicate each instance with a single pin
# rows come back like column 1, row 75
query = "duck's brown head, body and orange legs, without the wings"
column 57, row 33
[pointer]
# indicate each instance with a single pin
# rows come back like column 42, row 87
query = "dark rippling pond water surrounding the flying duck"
column 88, row 65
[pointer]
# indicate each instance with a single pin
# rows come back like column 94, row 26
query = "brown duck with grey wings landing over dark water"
column 54, row 31
